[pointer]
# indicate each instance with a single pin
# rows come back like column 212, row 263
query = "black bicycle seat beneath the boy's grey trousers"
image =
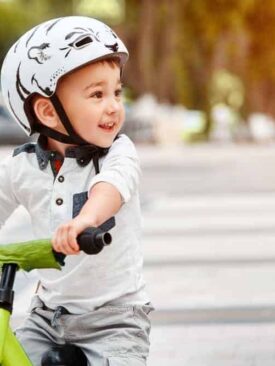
column 64, row 355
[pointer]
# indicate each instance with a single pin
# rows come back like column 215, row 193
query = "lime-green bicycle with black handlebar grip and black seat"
column 37, row 254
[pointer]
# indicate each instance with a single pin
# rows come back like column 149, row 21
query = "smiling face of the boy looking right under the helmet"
column 91, row 97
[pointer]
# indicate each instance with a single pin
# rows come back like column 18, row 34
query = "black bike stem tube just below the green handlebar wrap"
column 6, row 286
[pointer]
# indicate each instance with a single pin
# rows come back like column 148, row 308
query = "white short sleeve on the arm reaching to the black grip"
column 121, row 168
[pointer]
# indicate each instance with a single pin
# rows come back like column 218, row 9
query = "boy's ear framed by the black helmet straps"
column 44, row 111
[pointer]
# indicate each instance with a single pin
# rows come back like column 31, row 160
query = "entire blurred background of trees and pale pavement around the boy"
column 199, row 97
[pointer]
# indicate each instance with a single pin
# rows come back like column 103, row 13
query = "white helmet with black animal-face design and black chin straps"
column 36, row 62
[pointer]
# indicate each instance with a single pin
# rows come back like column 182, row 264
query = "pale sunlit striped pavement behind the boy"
column 209, row 230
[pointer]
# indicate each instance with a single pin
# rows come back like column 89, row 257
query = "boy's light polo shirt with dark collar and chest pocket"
column 53, row 196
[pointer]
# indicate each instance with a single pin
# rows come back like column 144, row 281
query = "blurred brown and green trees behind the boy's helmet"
column 176, row 46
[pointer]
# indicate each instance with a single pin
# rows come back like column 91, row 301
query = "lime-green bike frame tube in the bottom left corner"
column 11, row 351
